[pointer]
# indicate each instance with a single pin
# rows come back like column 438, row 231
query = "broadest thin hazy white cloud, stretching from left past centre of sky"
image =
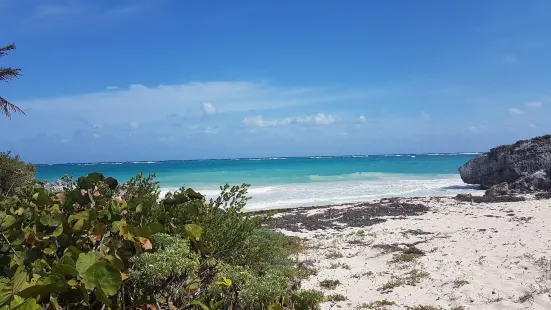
column 138, row 102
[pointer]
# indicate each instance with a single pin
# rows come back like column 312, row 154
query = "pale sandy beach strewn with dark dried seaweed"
column 445, row 253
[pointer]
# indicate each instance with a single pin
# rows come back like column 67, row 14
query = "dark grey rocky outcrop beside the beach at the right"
column 521, row 167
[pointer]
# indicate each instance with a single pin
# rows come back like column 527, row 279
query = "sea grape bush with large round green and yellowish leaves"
column 78, row 243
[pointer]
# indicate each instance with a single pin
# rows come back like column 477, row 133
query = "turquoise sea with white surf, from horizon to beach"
column 281, row 182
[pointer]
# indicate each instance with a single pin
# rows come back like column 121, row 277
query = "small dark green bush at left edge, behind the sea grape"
column 14, row 173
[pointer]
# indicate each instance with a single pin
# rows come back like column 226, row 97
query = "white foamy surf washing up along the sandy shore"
column 347, row 191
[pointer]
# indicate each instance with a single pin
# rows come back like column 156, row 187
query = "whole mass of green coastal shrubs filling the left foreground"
column 98, row 244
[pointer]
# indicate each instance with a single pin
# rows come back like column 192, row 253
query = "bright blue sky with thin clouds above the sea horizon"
column 166, row 79
